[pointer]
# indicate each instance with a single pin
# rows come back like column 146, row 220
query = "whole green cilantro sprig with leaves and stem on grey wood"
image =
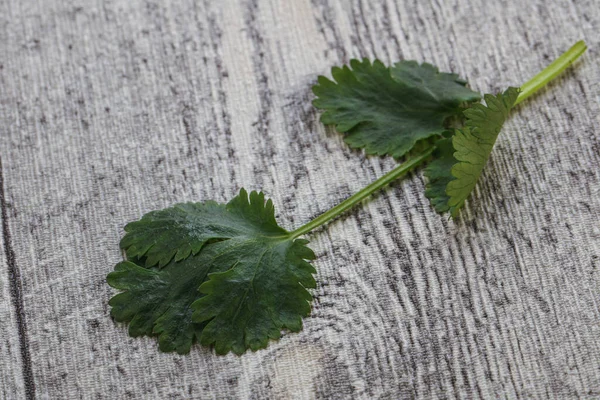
column 228, row 275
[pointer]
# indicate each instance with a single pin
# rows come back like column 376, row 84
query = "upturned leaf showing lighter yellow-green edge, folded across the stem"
column 455, row 170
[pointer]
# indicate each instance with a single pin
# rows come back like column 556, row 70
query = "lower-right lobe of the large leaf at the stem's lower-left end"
column 263, row 292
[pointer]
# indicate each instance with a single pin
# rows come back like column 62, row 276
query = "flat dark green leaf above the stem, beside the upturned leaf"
column 387, row 111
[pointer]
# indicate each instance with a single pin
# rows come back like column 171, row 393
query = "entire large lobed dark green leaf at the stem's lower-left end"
column 227, row 275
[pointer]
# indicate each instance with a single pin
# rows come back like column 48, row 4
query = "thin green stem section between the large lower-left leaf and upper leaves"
column 362, row 194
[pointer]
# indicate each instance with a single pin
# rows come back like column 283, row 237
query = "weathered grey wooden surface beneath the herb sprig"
column 110, row 109
